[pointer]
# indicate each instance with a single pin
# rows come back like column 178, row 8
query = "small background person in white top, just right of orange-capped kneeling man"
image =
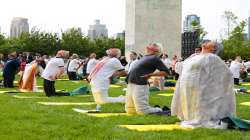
column 73, row 66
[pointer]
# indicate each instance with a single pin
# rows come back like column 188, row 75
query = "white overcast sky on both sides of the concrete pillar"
column 54, row 15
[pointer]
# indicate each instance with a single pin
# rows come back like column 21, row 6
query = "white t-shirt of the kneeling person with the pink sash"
column 101, row 80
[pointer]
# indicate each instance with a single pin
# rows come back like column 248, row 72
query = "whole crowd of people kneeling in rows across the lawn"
column 204, row 89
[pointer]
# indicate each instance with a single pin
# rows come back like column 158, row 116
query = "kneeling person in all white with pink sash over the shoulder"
column 100, row 76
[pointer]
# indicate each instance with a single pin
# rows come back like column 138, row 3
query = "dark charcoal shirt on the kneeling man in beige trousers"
column 147, row 64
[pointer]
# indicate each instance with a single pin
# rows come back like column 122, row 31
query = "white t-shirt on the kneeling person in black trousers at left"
column 53, row 68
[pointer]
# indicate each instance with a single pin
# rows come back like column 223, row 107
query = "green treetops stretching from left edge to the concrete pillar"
column 48, row 43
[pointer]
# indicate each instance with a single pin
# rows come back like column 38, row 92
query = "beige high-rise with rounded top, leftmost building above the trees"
column 18, row 26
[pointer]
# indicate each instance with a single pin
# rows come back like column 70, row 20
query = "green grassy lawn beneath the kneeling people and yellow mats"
column 26, row 119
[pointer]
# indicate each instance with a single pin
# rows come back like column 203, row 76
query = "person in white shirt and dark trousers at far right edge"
column 235, row 68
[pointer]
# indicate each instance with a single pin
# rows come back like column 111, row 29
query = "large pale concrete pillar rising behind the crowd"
column 153, row 21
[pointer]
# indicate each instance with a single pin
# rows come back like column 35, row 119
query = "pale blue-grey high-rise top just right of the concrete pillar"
column 188, row 23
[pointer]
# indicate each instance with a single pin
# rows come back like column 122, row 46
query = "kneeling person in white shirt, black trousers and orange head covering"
column 53, row 70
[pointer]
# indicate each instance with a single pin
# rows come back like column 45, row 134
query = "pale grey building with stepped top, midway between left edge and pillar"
column 97, row 30
